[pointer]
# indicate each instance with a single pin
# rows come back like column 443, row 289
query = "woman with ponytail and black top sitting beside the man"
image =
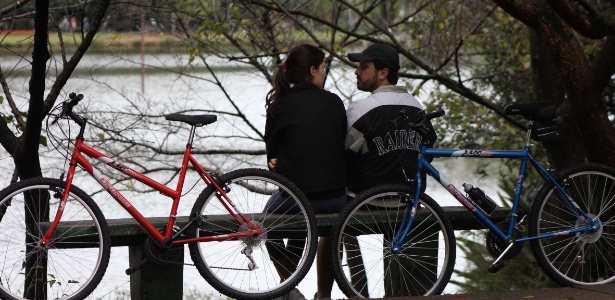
column 305, row 132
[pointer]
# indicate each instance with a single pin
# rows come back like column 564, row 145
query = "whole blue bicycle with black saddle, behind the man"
column 393, row 240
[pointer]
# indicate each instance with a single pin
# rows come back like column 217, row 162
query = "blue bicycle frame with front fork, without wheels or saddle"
column 524, row 155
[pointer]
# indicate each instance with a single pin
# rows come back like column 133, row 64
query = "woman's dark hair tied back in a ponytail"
column 294, row 70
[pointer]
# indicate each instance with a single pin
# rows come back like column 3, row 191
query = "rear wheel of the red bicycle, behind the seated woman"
column 222, row 263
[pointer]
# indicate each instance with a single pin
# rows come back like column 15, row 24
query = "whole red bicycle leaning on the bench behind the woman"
column 55, row 243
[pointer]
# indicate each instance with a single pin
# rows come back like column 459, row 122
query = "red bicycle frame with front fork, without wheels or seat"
column 78, row 159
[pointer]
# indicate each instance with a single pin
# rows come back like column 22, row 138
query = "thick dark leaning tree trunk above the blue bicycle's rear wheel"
column 583, row 93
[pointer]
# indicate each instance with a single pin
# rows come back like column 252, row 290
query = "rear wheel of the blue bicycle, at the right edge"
column 581, row 258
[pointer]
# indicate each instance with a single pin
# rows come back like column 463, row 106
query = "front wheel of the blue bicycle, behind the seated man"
column 363, row 261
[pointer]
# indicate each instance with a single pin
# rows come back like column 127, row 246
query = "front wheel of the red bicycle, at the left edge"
column 77, row 254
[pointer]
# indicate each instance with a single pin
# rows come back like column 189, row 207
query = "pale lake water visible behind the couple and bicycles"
column 171, row 92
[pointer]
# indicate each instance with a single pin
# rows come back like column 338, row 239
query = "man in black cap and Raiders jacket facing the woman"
column 377, row 151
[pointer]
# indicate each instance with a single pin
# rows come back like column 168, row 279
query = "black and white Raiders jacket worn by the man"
column 377, row 151
